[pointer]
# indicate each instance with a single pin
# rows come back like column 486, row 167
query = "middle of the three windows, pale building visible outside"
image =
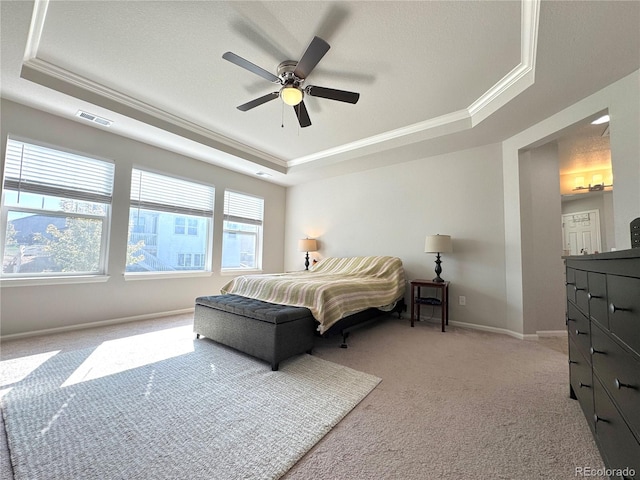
column 170, row 224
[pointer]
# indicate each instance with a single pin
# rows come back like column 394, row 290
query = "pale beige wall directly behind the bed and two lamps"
column 390, row 210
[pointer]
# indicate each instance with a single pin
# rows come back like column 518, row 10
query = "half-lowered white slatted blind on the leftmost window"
column 35, row 169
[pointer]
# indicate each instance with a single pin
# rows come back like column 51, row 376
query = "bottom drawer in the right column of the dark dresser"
column 618, row 445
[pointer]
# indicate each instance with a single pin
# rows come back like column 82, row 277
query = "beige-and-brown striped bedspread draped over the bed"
column 332, row 289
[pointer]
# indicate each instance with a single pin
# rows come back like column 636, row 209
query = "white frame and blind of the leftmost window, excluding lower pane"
column 33, row 182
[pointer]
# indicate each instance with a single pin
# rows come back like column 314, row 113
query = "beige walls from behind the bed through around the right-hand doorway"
column 389, row 210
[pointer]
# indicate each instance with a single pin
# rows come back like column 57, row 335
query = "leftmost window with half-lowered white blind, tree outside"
column 55, row 212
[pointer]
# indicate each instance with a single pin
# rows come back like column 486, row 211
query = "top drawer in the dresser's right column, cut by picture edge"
column 624, row 309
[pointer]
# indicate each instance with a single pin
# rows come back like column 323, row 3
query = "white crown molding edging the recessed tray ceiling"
column 506, row 89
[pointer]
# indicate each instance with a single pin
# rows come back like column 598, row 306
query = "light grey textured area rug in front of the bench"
column 205, row 412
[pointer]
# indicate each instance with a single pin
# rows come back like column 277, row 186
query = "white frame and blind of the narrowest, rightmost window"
column 235, row 212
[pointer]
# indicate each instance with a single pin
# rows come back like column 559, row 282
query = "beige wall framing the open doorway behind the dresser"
column 622, row 100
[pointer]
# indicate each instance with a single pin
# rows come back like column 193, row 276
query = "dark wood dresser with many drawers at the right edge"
column 603, row 322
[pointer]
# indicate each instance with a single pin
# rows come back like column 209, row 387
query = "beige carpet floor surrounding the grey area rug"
column 455, row 405
